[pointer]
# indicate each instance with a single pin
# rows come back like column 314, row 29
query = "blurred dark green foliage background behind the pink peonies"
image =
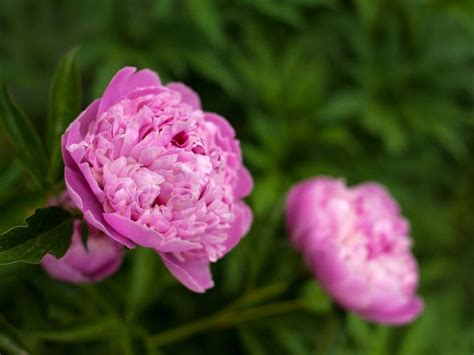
column 364, row 89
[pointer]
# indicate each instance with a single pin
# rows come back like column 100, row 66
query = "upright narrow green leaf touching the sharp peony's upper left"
column 64, row 105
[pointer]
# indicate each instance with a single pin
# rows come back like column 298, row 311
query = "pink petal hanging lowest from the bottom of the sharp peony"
column 194, row 274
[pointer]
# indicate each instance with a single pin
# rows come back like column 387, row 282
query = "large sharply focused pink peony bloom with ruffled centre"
column 148, row 167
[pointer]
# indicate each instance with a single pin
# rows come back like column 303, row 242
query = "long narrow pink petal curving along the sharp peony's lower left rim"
column 147, row 237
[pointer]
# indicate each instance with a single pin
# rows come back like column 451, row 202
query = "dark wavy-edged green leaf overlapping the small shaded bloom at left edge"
column 48, row 230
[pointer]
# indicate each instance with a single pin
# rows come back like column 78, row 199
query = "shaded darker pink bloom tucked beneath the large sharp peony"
column 101, row 259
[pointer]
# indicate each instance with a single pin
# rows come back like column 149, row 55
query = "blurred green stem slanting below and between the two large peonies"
column 225, row 319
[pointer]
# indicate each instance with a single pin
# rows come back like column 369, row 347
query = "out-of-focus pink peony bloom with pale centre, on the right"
column 356, row 243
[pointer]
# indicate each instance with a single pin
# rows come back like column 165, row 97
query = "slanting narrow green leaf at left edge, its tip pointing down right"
column 22, row 133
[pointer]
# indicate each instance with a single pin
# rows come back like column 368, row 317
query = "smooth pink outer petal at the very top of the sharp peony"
column 124, row 82
